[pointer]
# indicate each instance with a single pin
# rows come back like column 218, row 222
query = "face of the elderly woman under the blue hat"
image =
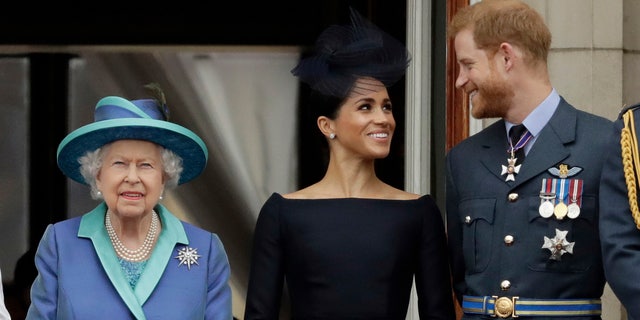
column 131, row 178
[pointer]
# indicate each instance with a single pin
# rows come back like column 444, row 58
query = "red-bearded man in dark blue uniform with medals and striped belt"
column 522, row 208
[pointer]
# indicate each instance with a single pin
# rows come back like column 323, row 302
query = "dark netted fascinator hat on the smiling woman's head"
column 345, row 53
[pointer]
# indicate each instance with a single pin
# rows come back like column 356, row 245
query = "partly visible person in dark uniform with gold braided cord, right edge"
column 619, row 212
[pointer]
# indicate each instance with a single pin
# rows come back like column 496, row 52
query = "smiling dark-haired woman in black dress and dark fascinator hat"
column 350, row 245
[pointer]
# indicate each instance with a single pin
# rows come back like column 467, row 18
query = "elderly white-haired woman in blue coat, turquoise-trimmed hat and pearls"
column 130, row 257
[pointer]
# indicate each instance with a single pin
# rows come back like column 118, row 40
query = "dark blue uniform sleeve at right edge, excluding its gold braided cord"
column 620, row 235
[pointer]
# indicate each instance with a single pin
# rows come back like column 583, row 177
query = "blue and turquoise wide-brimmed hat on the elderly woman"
column 117, row 118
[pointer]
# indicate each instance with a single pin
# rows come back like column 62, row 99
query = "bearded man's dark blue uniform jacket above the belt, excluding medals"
column 495, row 230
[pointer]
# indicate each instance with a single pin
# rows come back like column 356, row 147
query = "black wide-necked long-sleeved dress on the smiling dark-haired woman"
column 349, row 258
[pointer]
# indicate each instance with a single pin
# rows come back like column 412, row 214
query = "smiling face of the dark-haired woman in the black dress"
column 364, row 125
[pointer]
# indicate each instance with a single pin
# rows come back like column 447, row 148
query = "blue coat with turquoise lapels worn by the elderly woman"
column 79, row 276
